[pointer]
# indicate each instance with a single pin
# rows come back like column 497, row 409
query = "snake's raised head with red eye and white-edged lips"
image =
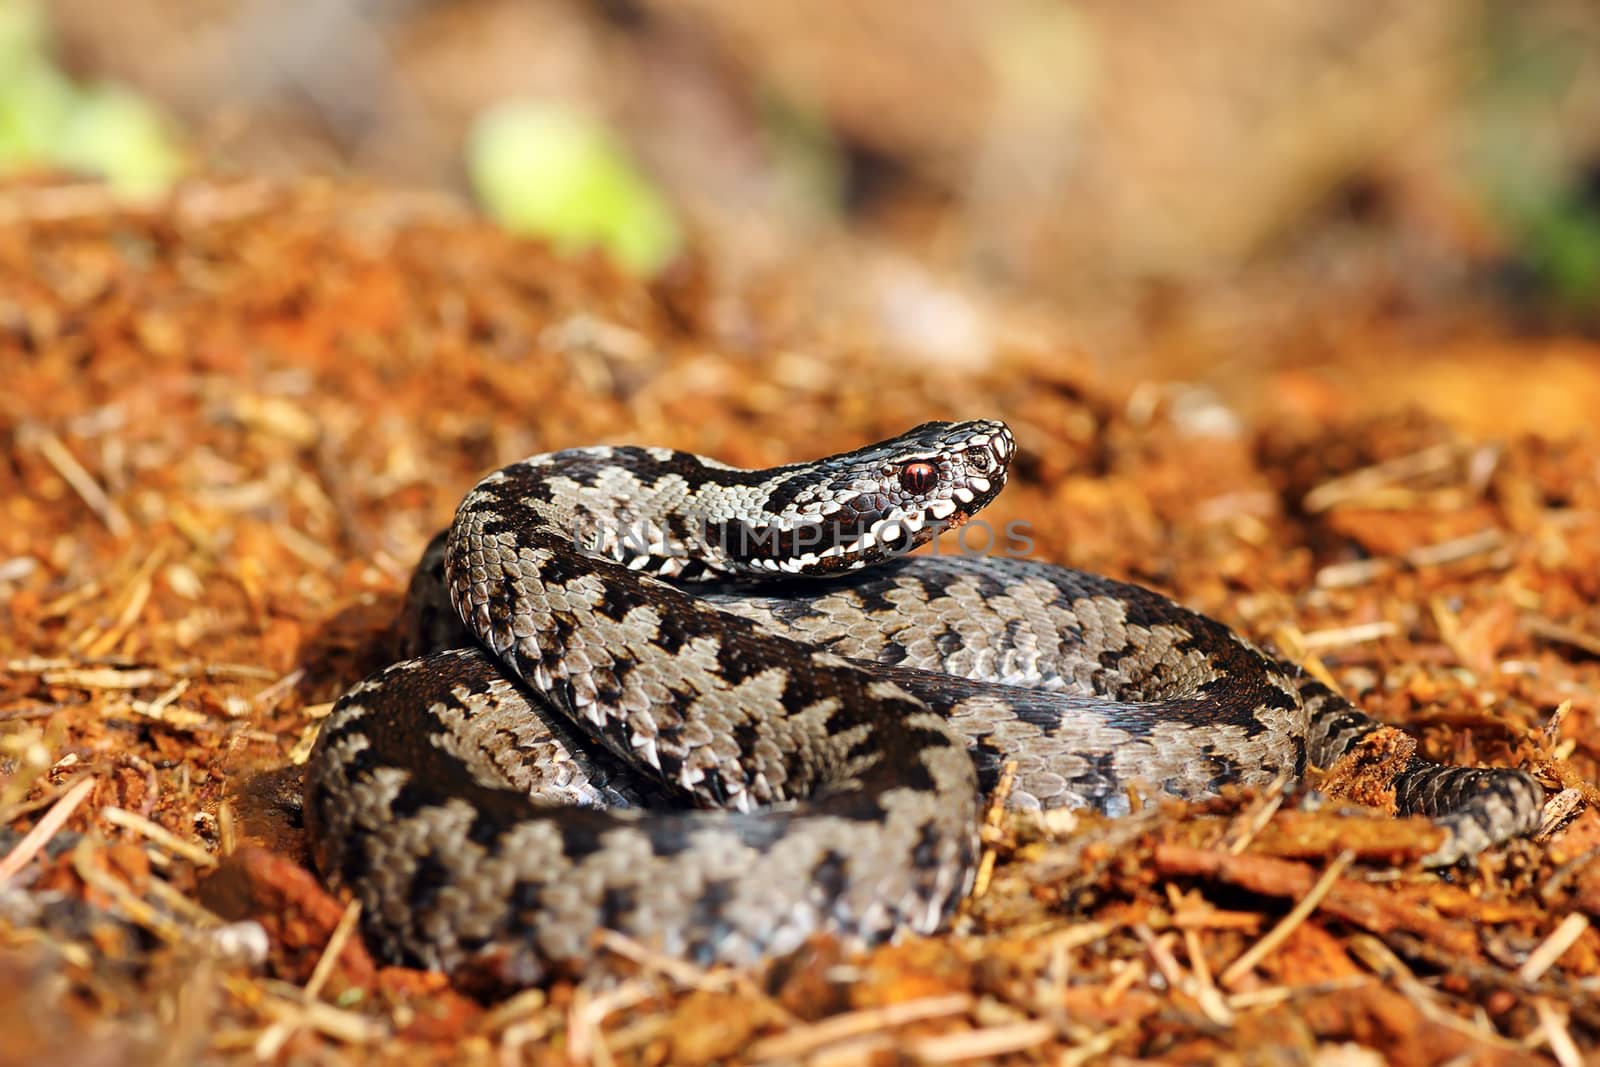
column 879, row 502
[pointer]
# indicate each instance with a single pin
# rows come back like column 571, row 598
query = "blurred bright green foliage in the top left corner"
column 49, row 121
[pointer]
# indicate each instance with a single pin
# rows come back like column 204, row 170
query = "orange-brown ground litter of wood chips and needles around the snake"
column 231, row 425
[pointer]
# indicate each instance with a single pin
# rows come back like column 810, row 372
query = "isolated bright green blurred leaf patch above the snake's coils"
column 550, row 172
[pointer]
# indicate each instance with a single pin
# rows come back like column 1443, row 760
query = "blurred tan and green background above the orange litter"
column 1212, row 186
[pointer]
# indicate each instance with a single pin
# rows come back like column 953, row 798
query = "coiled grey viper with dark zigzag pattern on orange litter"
column 721, row 711
